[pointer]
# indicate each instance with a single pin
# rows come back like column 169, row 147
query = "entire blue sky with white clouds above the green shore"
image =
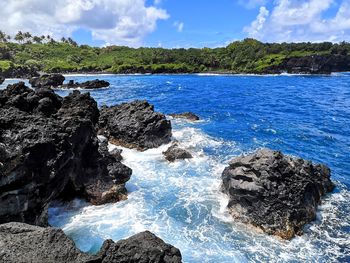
column 179, row 23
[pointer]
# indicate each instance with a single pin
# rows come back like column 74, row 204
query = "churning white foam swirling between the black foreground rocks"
column 181, row 202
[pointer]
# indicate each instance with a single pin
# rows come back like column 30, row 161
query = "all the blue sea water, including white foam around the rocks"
column 306, row 116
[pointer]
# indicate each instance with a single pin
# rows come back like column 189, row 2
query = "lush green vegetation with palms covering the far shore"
column 248, row 56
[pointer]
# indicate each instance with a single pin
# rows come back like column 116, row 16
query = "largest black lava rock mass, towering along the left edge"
column 49, row 149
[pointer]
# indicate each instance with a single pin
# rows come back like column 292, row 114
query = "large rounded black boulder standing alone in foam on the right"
column 274, row 192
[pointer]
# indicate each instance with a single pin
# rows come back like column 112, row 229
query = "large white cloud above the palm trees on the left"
column 124, row 22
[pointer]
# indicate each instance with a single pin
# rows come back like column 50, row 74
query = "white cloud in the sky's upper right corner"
column 294, row 20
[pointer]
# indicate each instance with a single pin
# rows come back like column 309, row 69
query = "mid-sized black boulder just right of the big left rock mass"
column 134, row 125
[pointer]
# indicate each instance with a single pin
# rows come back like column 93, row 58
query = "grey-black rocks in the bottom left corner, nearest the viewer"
column 25, row 243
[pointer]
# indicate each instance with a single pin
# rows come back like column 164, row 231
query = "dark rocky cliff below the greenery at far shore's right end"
column 316, row 64
